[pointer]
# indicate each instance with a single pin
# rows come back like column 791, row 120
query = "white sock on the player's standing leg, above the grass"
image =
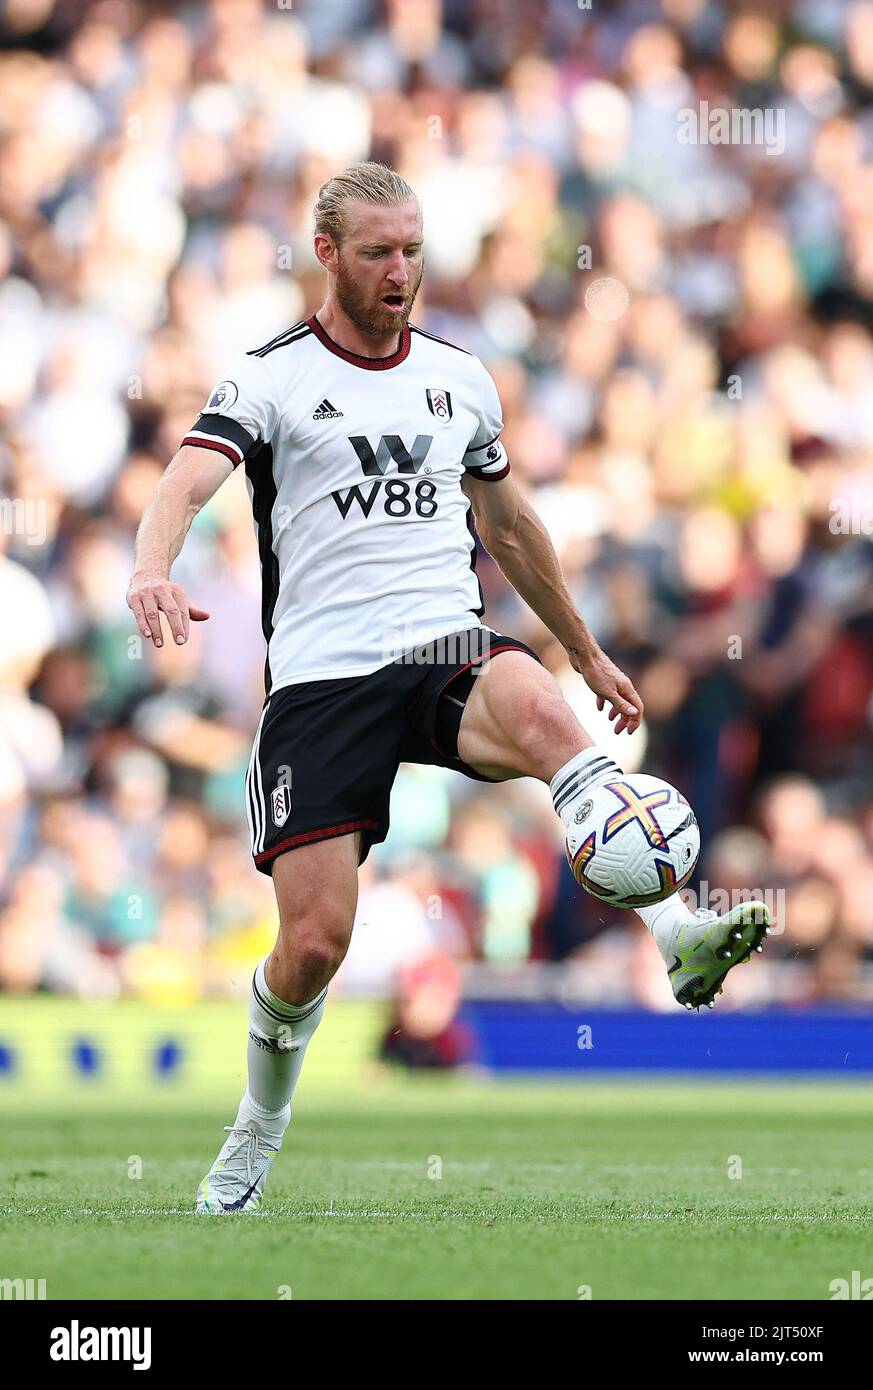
column 279, row 1038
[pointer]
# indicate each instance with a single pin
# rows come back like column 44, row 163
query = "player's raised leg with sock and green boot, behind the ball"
column 516, row 723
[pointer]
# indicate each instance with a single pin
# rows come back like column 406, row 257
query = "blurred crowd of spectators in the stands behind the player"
column 682, row 336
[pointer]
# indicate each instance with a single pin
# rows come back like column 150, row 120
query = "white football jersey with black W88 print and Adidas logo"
column 354, row 468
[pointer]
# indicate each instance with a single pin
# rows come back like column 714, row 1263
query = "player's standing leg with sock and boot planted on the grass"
column 316, row 889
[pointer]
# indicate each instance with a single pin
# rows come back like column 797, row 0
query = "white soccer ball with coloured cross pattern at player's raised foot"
column 633, row 842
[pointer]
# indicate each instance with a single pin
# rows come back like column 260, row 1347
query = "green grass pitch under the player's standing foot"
column 546, row 1192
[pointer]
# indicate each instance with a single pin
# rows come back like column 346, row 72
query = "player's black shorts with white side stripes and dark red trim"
column 327, row 753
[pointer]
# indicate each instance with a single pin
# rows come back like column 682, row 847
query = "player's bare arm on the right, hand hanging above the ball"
column 515, row 536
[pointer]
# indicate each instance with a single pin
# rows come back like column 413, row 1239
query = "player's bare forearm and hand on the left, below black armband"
column 190, row 482
